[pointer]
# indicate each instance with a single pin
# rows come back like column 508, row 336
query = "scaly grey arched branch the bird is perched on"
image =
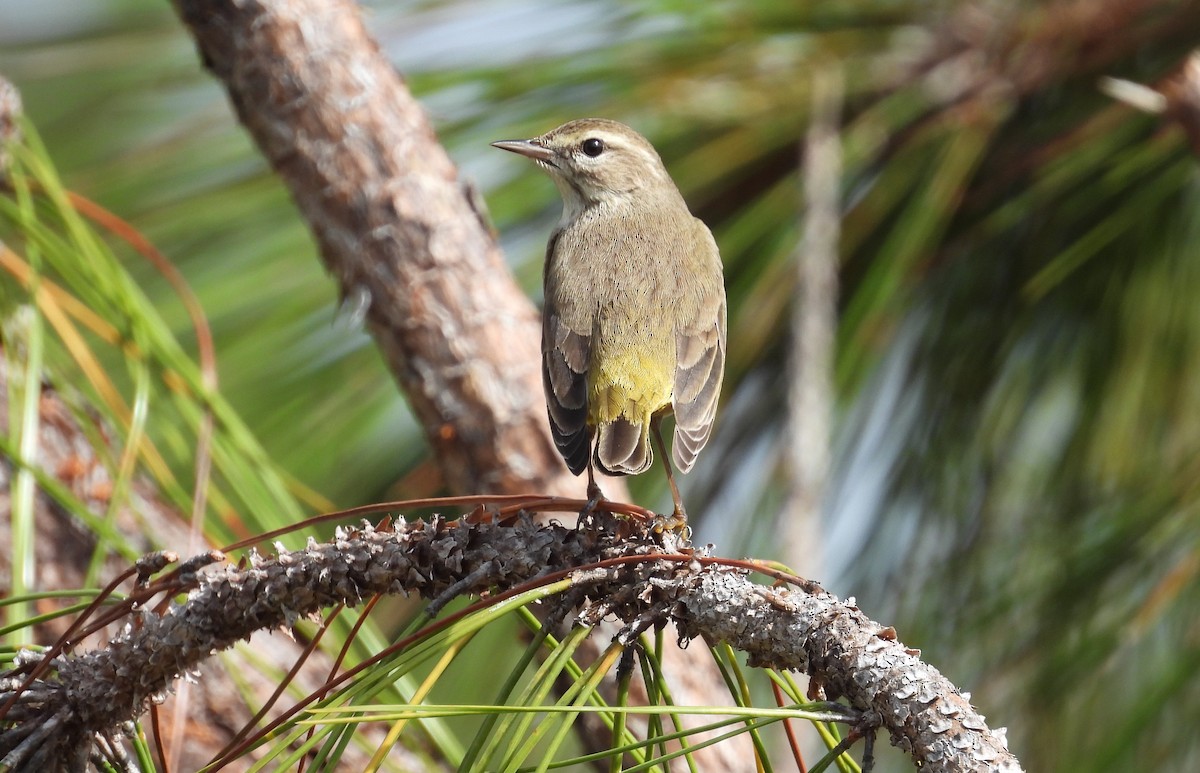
column 843, row 651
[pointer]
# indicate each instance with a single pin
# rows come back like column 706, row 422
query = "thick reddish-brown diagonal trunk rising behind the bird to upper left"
column 398, row 229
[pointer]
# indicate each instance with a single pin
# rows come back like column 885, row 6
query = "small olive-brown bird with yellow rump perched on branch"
column 634, row 319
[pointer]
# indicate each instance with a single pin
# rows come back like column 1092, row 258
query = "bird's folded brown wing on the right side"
column 700, row 367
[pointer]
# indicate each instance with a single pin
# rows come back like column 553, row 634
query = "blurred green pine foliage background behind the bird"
column 1018, row 369
